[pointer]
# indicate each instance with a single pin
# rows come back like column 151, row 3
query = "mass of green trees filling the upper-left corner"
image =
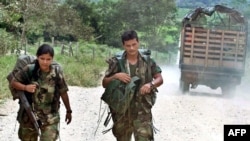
column 33, row 19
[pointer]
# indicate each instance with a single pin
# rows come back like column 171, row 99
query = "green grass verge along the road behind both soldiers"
column 84, row 69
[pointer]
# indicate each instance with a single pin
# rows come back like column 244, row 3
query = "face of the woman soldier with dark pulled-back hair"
column 44, row 62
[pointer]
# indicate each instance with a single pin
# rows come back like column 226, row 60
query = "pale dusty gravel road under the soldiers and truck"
column 196, row 116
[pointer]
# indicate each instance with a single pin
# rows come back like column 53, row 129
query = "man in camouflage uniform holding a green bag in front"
column 138, row 118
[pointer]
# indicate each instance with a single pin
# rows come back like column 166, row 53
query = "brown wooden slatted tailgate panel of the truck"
column 214, row 48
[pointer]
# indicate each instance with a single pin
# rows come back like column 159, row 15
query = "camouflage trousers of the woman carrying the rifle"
column 27, row 132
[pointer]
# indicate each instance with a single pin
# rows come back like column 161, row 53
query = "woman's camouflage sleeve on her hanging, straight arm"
column 62, row 85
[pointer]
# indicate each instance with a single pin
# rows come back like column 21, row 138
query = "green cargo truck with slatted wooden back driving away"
column 213, row 46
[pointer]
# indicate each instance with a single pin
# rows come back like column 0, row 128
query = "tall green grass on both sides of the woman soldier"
column 81, row 70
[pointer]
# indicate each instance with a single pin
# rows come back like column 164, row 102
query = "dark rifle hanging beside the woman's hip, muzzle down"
column 29, row 111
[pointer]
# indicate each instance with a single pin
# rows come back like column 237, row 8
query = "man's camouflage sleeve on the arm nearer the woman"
column 112, row 68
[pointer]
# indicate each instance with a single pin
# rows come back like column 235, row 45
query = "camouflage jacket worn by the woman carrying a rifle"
column 42, row 99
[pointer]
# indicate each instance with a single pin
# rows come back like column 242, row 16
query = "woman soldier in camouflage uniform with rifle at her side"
column 40, row 92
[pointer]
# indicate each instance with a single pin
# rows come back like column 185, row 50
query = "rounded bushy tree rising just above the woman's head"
column 65, row 24
